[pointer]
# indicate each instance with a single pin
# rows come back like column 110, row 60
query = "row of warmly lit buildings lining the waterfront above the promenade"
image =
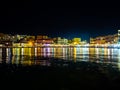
column 7, row 39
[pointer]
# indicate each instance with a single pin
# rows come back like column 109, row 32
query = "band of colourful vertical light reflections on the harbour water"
column 34, row 56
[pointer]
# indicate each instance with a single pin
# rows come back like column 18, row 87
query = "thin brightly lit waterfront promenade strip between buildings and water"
column 65, row 46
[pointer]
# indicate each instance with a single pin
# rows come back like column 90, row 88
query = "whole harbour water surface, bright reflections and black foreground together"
column 60, row 70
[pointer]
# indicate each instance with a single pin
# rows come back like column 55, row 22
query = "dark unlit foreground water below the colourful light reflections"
column 61, row 75
